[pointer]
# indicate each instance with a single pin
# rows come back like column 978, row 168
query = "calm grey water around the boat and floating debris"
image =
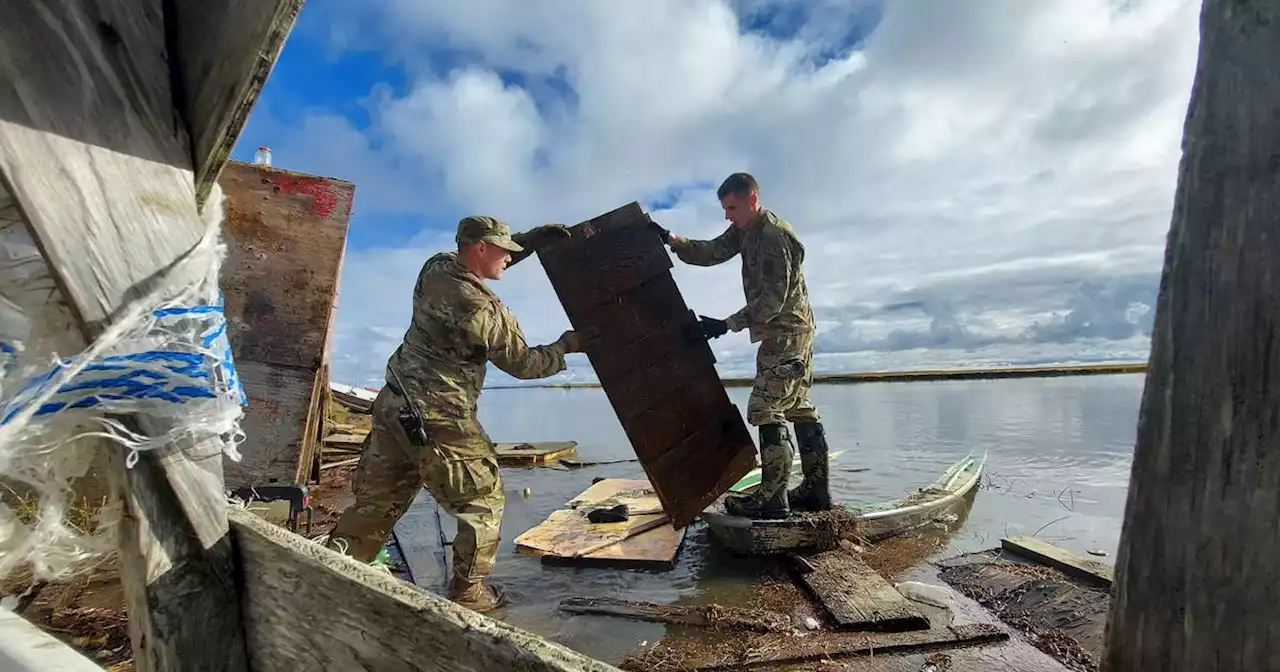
column 1059, row 455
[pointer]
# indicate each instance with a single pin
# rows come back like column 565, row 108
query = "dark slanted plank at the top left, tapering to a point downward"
column 223, row 54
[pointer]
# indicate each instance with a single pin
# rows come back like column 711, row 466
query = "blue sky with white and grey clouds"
column 981, row 182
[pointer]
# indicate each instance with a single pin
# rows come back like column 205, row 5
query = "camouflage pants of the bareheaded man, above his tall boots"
column 784, row 374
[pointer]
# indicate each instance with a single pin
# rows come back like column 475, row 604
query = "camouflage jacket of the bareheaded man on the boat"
column 778, row 300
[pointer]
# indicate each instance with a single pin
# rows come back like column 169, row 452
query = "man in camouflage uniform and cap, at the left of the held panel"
column 459, row 326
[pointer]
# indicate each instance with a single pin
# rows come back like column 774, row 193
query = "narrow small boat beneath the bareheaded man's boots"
column 817, row 532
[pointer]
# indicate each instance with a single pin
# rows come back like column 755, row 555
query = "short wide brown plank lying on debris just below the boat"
column 858, row 597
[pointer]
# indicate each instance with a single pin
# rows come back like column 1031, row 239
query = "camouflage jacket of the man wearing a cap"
column 460, row 324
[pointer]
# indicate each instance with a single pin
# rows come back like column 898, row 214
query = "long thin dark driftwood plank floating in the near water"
column 707, row 616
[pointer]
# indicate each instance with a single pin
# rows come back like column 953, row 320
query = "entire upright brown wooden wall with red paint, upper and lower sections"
column 286, row 235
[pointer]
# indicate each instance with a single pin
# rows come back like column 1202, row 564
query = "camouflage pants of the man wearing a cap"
column 392, row 470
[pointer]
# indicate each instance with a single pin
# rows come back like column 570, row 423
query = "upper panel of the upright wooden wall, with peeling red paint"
column 286, row 234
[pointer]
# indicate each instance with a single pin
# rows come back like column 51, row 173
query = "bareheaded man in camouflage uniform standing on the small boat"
column 779, row 318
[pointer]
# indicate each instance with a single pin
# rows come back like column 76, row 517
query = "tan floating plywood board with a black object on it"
column 647, row 541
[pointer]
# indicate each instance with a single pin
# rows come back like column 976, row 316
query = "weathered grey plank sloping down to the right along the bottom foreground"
column 371, row 620
